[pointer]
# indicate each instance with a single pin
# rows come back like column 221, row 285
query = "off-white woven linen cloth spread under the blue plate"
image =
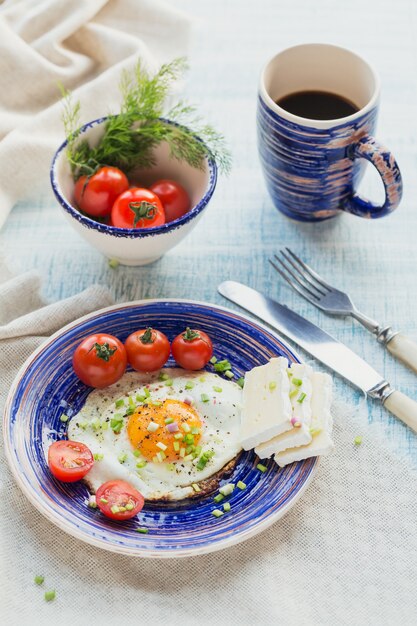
column 345, row 554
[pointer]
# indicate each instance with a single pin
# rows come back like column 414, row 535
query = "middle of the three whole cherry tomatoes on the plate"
column 147, row 349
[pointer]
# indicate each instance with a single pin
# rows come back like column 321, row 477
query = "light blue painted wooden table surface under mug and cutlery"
column 376, row 261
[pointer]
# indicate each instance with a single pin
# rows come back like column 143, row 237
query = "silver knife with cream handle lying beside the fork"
column 323, row 347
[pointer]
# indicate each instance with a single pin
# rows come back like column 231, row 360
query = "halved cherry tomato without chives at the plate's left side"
column 69, row 460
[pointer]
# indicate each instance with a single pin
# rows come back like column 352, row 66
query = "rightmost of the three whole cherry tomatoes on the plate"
column 192, row 349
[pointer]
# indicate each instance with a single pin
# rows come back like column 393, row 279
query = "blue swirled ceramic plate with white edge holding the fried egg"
column 46, row 387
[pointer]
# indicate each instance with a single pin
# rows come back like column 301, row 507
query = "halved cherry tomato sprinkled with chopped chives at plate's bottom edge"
column 119, row 500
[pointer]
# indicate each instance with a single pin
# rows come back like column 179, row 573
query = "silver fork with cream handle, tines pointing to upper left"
column 316, row 290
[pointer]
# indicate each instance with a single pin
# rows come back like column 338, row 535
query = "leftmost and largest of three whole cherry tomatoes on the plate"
column 100, row 360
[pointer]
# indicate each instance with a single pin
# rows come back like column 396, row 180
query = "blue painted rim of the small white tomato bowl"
column 126, row 232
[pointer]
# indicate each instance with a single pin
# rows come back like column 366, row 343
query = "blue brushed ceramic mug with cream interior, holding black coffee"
column 312, row 166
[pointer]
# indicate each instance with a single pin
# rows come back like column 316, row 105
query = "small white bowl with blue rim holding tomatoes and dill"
column 138, row 246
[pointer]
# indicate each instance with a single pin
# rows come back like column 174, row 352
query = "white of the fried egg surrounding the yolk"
column 220, row 417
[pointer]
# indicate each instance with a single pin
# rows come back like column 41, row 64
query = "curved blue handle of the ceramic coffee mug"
column 368, row 148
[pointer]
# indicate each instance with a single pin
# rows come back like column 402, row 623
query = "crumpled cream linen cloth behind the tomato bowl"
column 84, row 44
